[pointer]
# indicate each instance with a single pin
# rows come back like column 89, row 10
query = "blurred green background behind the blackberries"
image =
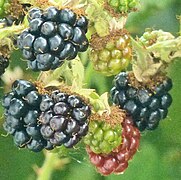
column 159, row 155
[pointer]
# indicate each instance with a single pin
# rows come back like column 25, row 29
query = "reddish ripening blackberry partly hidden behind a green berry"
column 117, row 161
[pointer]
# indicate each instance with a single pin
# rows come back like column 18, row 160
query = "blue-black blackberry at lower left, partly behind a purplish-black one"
column 21, row 116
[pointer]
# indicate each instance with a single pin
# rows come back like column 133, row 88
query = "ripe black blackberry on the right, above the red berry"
column 146, row 105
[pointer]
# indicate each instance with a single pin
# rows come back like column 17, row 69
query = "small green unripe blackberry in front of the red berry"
column 103, row 136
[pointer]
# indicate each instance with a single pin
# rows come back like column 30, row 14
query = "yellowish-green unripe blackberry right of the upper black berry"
column 111, row 54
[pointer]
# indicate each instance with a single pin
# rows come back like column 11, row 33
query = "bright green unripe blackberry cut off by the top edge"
column 123, row 6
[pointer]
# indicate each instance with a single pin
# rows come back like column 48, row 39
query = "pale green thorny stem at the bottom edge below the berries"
column 51, row 162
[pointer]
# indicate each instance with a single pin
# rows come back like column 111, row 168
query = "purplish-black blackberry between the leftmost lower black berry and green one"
column 64, row 119
